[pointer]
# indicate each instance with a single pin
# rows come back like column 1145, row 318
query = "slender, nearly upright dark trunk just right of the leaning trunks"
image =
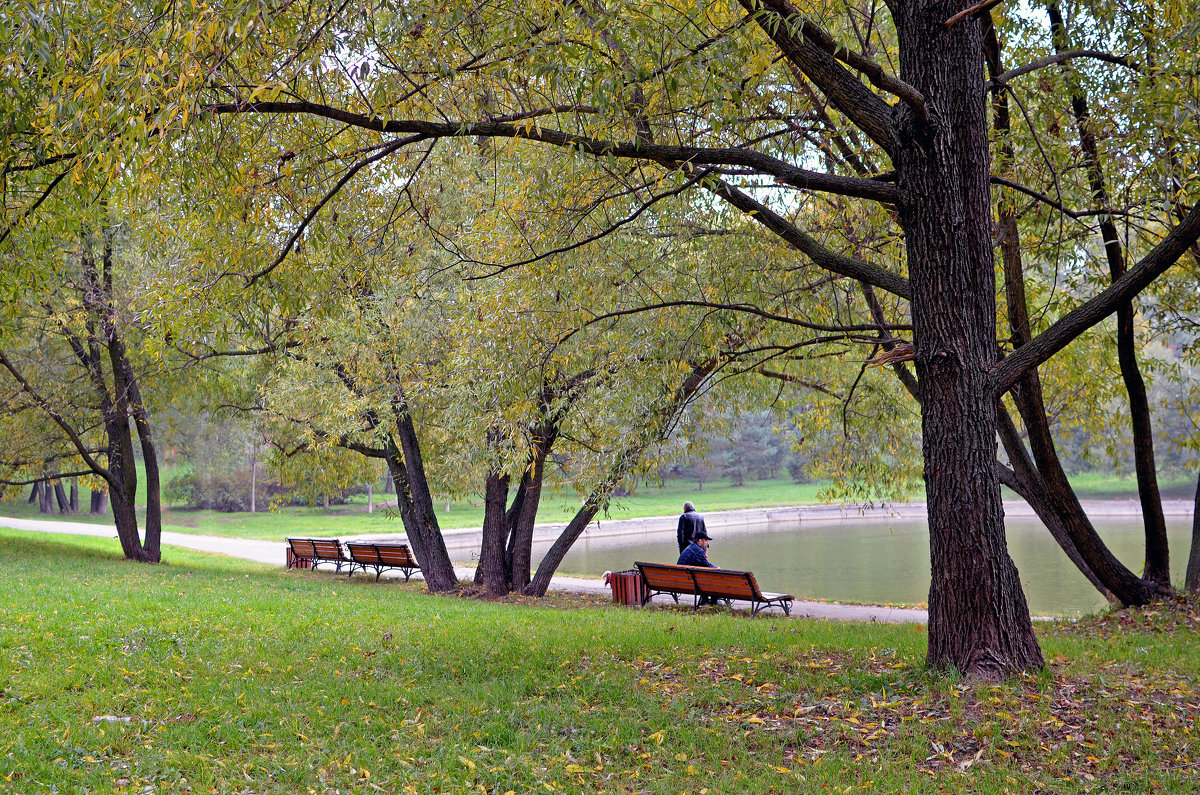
column 1159, row 569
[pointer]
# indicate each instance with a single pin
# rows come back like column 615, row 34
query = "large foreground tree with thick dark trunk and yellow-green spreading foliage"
column 770, row 110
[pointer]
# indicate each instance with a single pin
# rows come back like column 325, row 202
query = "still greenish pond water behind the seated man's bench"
column 881, row 561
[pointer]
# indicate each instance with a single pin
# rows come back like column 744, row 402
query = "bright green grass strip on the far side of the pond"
column 352, row 519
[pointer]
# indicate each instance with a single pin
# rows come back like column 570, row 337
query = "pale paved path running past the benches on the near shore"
column 274, row 554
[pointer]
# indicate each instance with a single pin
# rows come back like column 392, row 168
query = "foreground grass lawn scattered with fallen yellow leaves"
column 212, row 676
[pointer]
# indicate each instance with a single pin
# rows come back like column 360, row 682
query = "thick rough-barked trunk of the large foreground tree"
column 979, row 618
